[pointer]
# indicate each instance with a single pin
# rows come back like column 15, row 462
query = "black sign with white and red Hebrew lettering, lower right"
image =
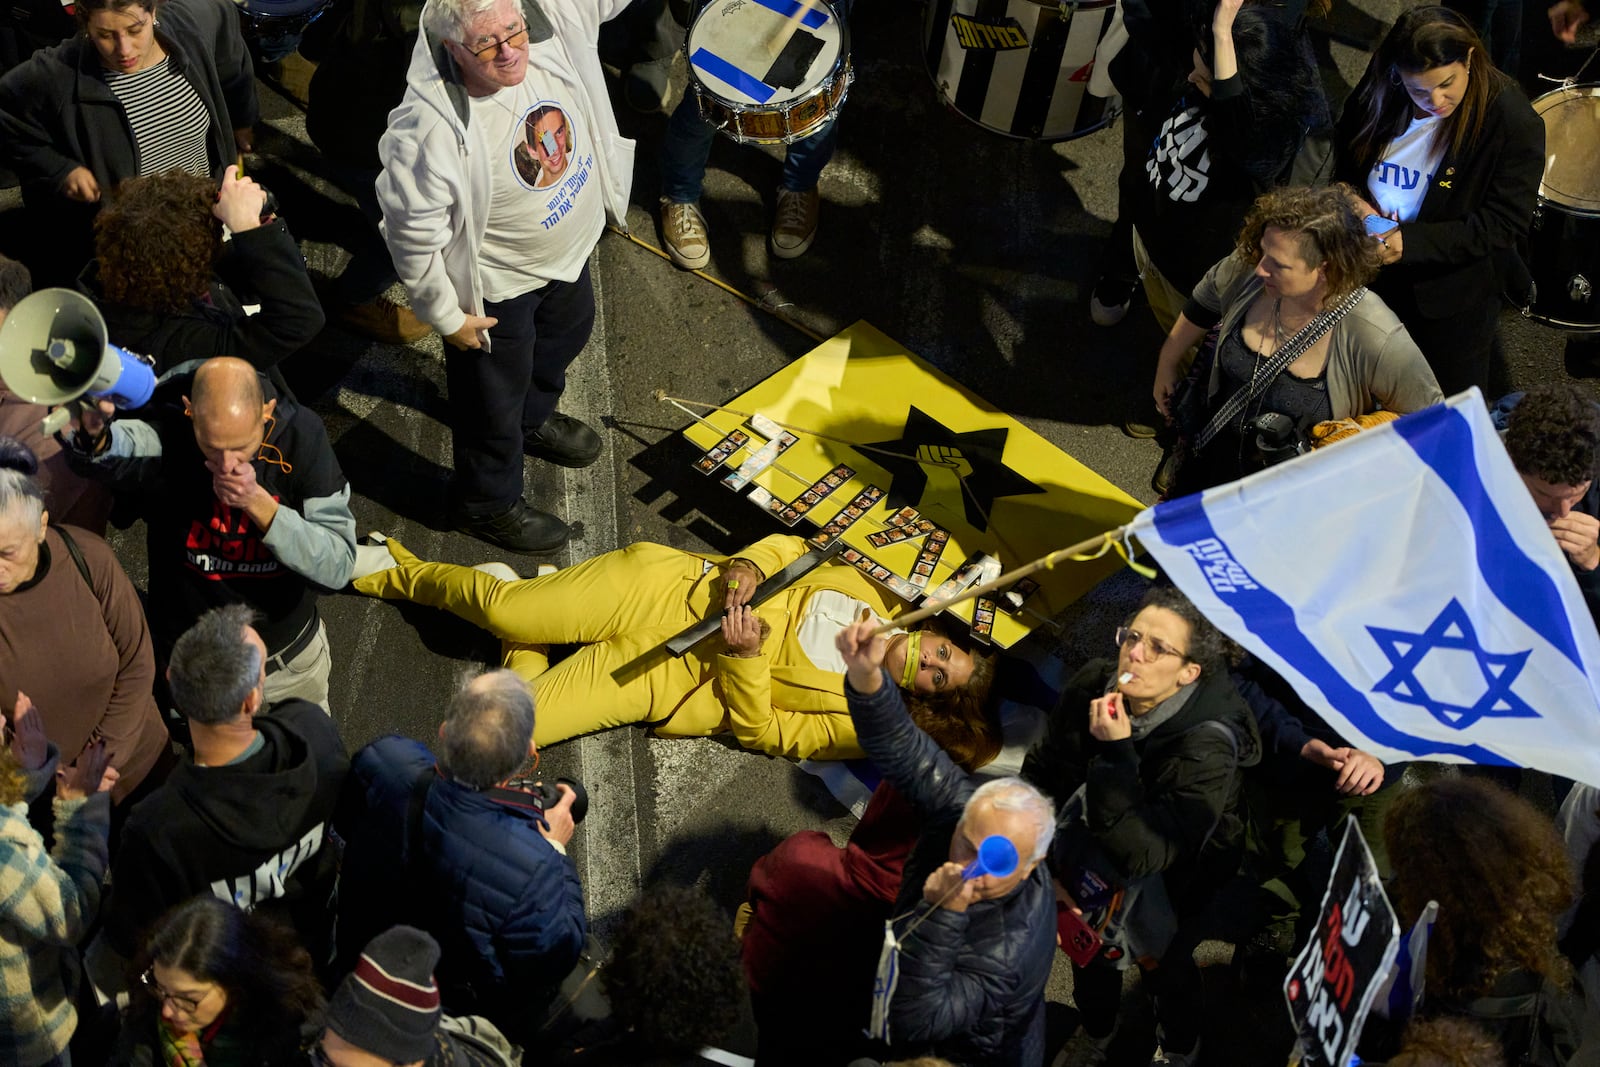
column 1337, row 977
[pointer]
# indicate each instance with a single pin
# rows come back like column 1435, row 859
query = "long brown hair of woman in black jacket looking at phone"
column 1420, row 41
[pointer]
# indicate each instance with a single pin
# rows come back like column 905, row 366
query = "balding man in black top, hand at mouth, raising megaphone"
column 244, row 503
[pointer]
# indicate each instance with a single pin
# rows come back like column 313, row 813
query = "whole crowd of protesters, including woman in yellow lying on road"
column 194, row 869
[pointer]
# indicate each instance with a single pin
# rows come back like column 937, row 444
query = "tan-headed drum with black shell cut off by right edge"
column 1564, row 247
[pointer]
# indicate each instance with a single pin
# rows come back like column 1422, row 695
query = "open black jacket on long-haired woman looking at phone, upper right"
column 1473, row 217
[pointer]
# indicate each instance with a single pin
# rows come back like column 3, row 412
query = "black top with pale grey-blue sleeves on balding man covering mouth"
column 206, row 554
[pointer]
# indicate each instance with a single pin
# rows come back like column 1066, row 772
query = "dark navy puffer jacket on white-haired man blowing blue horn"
column 972, row 985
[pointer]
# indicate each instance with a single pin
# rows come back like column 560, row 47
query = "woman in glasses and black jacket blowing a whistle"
column 1156, row 740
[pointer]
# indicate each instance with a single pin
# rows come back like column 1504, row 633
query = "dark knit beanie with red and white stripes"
column 390, row 1004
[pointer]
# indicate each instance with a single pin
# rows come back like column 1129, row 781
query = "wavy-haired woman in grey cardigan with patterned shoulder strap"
column 1297, row 335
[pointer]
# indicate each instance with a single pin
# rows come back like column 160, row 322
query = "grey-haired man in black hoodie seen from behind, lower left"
column 247, row 818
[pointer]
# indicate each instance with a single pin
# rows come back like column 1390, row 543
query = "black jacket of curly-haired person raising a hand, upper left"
column 263, row 265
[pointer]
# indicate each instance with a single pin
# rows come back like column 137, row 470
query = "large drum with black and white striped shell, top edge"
column 1020, row 68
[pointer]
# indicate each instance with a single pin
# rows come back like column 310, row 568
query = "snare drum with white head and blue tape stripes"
column 761, row 76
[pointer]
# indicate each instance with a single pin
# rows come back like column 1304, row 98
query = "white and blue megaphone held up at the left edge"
column 54, row 350
